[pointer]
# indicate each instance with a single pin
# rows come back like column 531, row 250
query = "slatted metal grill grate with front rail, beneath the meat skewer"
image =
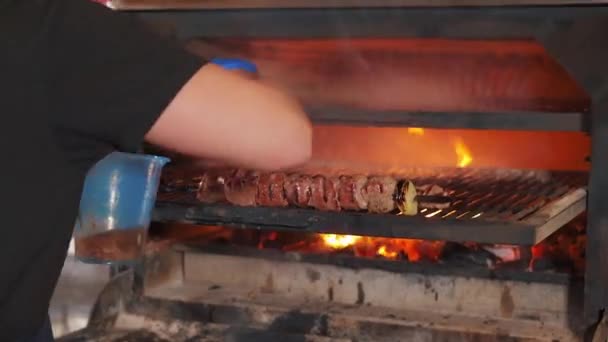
column 488, row 206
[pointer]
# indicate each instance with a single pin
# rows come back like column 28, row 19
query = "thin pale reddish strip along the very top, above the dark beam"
column 302, row 4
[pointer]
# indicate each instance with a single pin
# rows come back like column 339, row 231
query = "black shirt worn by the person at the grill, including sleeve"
column 76, row 82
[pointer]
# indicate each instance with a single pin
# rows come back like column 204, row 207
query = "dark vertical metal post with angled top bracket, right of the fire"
column 578, row 45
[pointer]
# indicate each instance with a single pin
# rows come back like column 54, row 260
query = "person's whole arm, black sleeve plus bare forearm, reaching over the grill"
column 114, row 82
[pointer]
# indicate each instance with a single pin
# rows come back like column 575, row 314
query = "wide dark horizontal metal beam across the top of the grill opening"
column 467, row 23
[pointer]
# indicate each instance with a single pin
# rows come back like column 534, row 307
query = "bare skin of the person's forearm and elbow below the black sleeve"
column 221, row 115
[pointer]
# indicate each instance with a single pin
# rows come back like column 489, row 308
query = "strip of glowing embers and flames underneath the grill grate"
column 564, row 251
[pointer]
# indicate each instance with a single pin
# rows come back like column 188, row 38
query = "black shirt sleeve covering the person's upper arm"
column 110, row 76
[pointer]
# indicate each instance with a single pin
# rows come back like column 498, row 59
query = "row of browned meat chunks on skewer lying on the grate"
column 378, row 194
